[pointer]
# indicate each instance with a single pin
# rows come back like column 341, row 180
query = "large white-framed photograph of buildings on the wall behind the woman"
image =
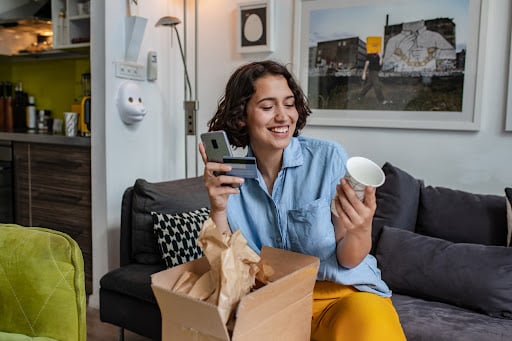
column 390, row 63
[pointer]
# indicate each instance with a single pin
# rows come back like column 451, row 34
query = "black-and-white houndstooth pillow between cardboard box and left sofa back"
column 177, row 235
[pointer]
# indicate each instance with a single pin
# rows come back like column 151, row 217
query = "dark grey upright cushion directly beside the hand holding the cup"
column 397, row 200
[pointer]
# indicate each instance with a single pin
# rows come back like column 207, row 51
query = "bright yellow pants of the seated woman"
column 342, row 312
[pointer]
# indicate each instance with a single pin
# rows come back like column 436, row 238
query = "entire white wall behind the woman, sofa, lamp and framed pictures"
column 473, row 161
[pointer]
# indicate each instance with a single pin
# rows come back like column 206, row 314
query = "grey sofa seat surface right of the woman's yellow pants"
column 428, row 320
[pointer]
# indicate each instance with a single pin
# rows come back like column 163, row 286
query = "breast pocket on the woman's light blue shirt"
column 310, row 230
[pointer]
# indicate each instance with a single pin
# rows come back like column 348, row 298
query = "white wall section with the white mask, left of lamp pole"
column 150, row 149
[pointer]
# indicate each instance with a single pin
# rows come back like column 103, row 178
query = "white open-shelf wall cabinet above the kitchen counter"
column 71, row 21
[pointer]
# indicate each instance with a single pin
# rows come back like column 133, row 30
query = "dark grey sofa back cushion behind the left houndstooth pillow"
column 169, row 197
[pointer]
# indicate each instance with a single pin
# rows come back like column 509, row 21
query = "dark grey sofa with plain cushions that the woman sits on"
column 441, row 251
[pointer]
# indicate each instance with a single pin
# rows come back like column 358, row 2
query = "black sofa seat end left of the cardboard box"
column 132, row 280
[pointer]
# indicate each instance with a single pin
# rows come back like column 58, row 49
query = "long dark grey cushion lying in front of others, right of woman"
column 472, row 276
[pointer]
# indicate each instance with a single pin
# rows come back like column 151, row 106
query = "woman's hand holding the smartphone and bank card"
column 219, row 188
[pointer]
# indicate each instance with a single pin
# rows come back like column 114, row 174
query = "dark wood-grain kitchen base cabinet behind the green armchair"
column 52, row 188
